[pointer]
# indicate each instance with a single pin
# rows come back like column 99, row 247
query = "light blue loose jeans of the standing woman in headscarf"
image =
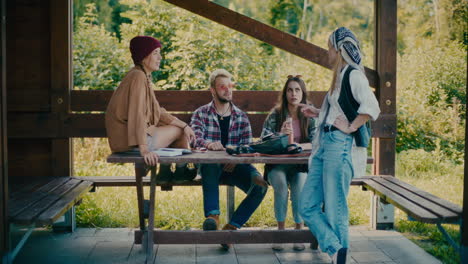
column 323, row 200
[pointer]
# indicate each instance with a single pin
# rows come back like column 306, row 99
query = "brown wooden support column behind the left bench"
column 61, row 84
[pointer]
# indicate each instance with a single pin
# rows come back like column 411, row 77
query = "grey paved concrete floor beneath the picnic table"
column 115, row 245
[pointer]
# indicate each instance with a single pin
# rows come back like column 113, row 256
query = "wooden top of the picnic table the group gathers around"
column 209, row 157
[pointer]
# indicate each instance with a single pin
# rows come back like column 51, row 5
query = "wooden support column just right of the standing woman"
column 385, row 64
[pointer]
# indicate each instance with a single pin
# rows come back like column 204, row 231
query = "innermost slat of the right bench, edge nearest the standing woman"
column 408, row 207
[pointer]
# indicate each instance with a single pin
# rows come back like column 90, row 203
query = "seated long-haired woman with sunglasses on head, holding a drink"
column 287, row 119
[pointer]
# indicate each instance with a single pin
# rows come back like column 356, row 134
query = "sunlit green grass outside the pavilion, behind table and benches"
column 182, row 208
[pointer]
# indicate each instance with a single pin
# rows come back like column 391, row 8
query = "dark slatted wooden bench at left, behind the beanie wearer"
column 42, row 202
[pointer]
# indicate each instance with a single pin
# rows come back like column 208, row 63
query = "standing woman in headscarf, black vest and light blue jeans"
column 348, row 105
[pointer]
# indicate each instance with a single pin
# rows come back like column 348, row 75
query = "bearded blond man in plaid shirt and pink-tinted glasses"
column 217, row 125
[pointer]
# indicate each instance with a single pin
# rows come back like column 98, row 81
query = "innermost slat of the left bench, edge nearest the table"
column 61, row 206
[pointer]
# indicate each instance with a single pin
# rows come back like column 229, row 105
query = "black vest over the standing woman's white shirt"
column 349, row 106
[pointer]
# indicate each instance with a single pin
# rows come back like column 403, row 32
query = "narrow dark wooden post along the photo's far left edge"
column 4, row 225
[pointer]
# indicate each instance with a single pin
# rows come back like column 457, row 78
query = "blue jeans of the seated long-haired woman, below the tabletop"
column 280, row 177
